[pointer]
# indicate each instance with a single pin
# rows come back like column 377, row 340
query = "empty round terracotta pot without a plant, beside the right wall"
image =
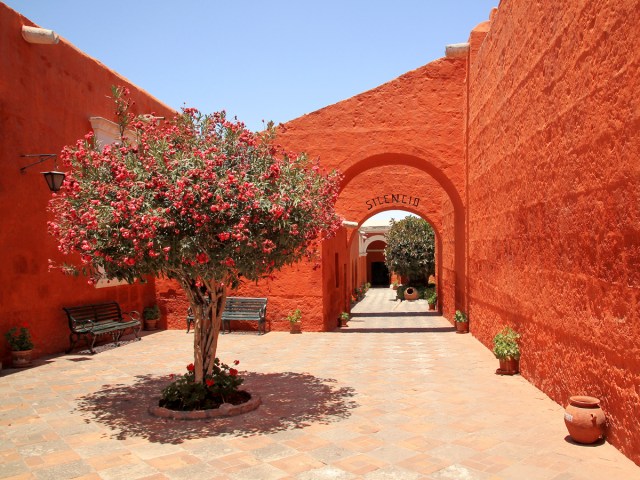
column 584, row 419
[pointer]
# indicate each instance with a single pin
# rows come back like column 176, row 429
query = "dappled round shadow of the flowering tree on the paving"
column 289, row 401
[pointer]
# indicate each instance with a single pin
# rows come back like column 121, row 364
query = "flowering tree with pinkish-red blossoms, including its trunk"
column 199, row 199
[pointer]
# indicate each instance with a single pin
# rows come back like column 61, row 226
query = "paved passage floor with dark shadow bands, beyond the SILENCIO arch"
column 380, row 311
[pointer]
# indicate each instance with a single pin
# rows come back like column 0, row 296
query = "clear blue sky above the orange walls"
column 258, row 60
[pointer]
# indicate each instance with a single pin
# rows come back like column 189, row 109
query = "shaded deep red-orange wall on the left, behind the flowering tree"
column 48, row 93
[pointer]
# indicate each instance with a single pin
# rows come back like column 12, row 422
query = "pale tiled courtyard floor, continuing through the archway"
column 396, row 395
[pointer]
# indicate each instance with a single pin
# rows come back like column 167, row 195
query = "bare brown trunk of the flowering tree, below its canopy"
column 207, row 304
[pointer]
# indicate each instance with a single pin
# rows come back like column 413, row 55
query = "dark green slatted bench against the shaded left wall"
column 95, row 320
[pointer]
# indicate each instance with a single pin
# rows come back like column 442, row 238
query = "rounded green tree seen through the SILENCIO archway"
column 410, row 249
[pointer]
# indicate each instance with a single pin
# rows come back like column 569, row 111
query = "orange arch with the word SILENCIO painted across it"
column 396, row 187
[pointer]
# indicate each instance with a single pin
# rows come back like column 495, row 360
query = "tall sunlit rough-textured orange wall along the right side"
column 554, row 202
